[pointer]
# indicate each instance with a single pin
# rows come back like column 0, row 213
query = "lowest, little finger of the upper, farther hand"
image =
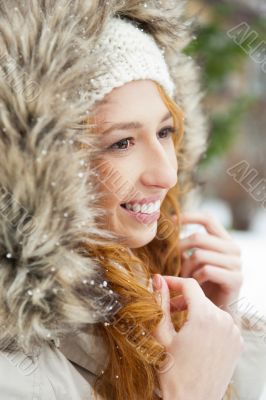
column 219, row 276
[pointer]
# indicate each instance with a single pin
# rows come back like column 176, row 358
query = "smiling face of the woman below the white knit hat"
column 138, row 164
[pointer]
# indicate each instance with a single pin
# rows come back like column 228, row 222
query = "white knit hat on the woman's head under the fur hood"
column 127, row 53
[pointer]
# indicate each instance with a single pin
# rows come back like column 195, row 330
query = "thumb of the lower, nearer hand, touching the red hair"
column 165, row 329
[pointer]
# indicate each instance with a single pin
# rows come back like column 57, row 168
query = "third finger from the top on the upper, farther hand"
column 204, row 257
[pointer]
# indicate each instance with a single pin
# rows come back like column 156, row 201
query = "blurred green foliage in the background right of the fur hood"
column 219, row 56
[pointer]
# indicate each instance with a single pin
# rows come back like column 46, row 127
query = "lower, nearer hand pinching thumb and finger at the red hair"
column 200, row 368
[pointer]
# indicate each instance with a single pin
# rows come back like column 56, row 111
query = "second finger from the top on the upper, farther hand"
column 209, row 242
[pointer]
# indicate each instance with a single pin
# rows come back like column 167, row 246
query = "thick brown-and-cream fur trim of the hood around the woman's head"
column 47, row 191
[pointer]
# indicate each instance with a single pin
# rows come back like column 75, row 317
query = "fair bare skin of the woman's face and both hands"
column 211, row 277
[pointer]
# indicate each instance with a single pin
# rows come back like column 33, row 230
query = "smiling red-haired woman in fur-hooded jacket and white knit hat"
column 77, row 299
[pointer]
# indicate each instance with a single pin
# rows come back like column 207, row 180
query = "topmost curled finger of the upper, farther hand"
column 208, row 221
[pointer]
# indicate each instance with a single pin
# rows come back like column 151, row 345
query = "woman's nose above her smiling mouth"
column 160, row 166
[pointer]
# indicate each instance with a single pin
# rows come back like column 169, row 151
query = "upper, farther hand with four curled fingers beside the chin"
column 216, row 262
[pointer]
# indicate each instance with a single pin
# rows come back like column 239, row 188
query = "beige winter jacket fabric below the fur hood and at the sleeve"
column 68, row 372
